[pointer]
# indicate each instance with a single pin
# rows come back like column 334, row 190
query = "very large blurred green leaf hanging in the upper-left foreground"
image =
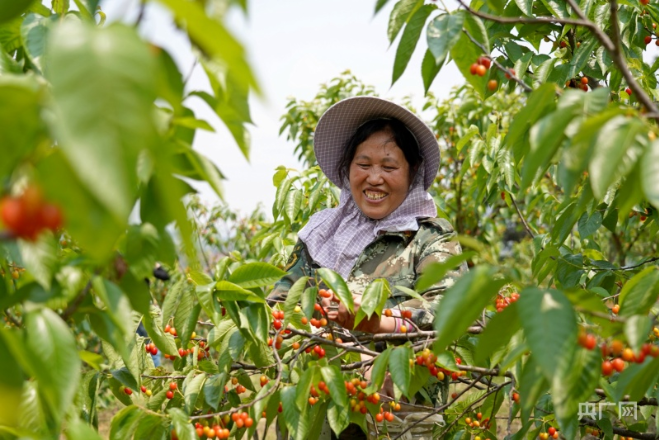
column 96, row 72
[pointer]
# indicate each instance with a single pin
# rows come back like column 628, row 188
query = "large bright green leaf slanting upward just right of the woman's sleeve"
column 463, row 303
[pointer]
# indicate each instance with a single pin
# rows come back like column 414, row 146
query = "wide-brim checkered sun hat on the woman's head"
column 339, row 123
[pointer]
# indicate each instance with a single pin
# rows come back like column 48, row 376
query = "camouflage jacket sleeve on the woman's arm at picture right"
column 435, row 246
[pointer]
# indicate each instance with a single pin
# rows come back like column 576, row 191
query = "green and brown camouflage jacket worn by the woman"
column 399, row 257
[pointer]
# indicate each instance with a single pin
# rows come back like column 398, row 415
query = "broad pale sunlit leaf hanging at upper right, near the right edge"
column 614, row 151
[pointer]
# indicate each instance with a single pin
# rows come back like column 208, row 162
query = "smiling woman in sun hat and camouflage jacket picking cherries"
column 384, row 159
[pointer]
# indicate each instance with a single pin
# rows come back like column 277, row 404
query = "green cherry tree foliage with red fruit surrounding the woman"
column 553, row 193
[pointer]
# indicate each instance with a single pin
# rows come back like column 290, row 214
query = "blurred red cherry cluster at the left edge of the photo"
column 27, row 215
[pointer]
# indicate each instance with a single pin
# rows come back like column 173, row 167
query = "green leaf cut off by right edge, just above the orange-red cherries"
column 639, row 294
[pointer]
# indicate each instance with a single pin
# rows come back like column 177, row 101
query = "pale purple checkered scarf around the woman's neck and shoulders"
column 336, row 237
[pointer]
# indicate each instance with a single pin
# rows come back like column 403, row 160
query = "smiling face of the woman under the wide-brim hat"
column 379, row 176
